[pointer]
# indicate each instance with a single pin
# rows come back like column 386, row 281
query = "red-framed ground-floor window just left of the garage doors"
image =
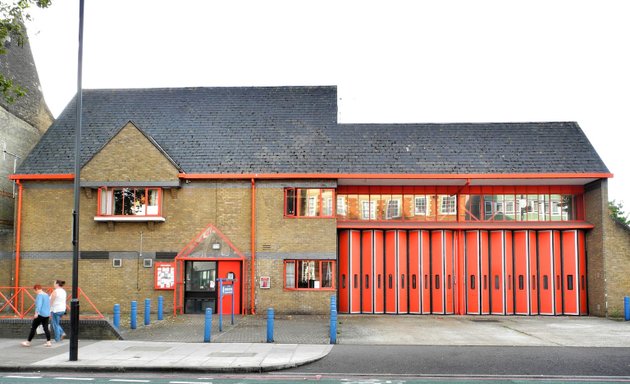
column 309, row 274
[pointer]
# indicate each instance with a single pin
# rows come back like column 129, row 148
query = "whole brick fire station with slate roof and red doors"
column 262, row 189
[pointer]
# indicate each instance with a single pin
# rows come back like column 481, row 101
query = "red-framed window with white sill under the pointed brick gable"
column 129, row 201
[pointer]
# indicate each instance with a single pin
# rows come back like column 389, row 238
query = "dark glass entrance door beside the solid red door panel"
column 200, row 288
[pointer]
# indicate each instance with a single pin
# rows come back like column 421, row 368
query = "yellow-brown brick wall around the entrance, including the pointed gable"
column 187, row 209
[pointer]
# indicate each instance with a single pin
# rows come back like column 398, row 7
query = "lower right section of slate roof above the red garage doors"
column 470, row 148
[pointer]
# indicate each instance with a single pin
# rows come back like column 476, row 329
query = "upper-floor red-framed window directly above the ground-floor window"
column 309, row 202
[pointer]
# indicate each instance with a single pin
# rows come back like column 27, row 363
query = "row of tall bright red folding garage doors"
column 503, row 272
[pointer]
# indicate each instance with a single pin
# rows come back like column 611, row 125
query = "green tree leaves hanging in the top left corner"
column 13, row 13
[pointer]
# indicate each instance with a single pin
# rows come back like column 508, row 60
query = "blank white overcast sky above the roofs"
column 392, row 61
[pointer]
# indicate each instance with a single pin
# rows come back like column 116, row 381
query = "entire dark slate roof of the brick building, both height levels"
column 294, row 130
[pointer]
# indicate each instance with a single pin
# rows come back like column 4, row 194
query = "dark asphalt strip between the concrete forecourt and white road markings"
column 457, row 360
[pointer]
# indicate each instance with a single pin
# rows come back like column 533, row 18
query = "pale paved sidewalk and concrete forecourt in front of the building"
column 176, row 344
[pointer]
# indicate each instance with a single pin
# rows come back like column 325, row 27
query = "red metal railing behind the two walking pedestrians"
column 19, row 302
